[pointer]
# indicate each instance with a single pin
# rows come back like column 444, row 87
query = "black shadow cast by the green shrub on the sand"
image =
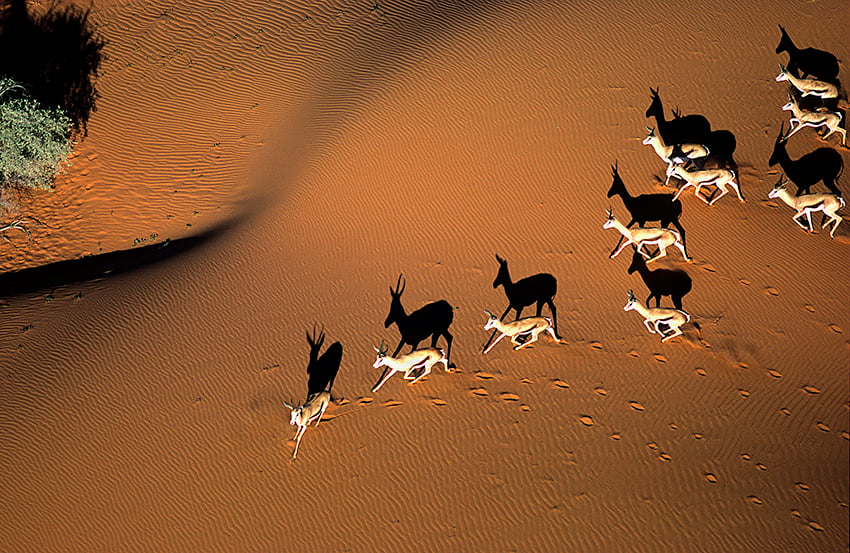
column 56, row 56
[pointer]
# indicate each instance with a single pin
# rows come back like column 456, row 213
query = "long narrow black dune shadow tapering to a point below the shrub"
column 93, row 267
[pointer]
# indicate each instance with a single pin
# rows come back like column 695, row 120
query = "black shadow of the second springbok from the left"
column 432, row 320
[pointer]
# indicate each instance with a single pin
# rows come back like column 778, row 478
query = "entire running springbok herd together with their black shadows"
column 694, row 154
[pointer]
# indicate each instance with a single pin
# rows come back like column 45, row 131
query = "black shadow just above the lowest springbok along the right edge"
column 823, row 164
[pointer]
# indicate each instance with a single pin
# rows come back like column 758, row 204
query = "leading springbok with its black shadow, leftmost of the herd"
column 321, row 371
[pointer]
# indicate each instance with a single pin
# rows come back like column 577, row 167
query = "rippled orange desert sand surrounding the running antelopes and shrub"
column 342, row 144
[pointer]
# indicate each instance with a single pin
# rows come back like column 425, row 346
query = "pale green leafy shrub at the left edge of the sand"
column 34, row 141
